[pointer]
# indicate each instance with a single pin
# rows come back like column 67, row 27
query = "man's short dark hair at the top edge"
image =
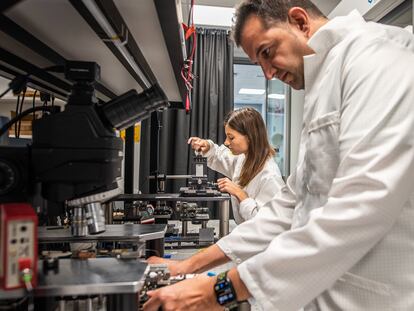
column 270, row 11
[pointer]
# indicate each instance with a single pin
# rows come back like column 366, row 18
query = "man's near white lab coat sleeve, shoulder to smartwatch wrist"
column 373, row 181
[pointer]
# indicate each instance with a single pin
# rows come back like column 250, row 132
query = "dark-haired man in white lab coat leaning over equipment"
column 351, row 241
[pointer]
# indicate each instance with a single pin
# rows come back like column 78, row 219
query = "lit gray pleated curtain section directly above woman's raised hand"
column 213, row 85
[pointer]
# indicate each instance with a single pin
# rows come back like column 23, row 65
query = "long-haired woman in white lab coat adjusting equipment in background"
column 246, row 159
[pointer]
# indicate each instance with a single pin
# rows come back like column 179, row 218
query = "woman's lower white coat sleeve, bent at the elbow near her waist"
column 267, row 188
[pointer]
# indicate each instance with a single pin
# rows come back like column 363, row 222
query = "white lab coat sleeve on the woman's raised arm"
column 220, row 159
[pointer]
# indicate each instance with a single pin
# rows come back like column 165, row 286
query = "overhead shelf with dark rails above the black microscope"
column 40, row 33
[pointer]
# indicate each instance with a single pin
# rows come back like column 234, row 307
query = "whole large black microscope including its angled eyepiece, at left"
column 76, row 155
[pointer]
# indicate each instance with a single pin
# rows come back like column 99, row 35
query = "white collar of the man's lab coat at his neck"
column 324, row 40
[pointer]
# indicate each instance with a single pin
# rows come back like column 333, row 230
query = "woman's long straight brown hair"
column 249, row 122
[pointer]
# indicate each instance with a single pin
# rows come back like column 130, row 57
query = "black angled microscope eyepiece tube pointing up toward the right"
column 131, row 107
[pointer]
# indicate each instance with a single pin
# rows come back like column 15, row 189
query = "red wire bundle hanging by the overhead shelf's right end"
column 186, row 70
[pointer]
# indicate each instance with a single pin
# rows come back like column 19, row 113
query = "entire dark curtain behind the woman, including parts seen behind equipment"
column 212, row 99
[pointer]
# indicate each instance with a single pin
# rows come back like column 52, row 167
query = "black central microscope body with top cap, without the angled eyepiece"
column 74, row 153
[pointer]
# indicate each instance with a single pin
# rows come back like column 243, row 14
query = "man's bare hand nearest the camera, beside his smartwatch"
column 188, row 295
